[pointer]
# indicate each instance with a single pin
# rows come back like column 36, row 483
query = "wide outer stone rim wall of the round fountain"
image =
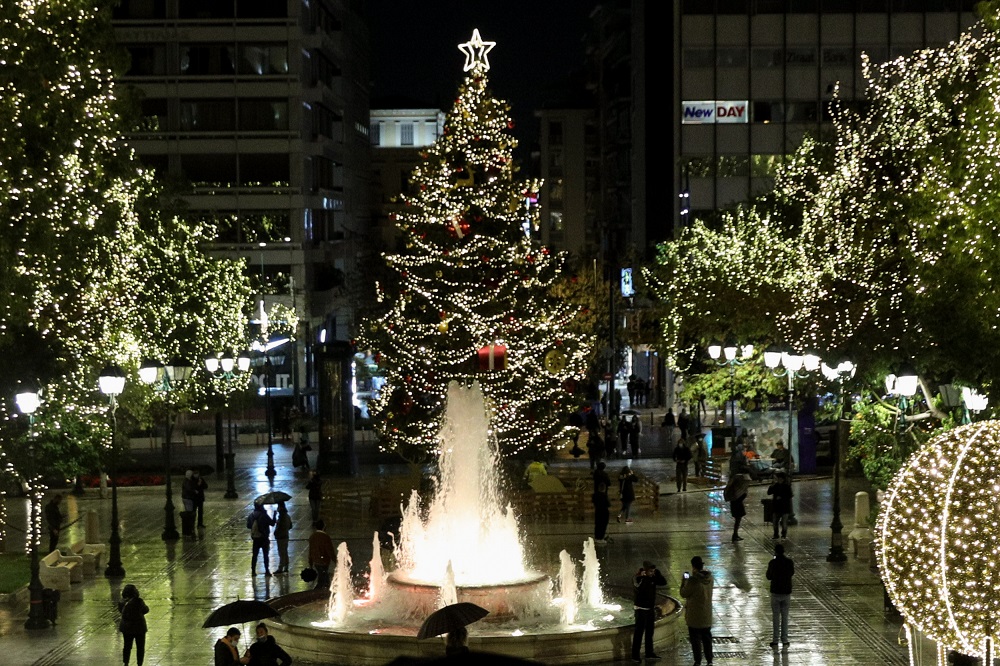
column 553, row 646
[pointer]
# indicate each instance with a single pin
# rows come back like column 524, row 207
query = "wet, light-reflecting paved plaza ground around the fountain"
column 837, row 616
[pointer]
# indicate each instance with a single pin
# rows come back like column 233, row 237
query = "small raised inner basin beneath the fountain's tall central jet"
column 507, row 600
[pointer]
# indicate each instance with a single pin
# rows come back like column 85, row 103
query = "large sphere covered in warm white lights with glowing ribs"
column 938, row 539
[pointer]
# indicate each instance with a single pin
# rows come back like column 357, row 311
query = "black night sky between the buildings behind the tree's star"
column 416, row 61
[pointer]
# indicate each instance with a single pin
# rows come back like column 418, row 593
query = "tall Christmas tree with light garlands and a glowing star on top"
column 472, row 301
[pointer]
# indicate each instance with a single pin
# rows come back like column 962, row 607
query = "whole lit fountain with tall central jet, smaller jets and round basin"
column 463, row 544
